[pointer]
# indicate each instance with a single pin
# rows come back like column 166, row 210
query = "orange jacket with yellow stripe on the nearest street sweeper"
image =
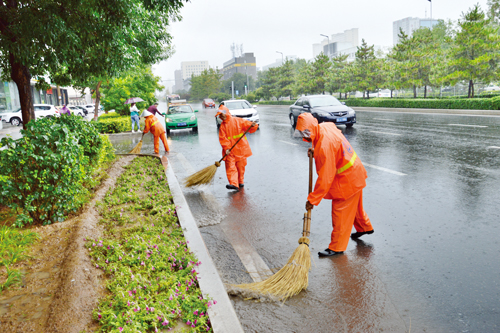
column 340, row 172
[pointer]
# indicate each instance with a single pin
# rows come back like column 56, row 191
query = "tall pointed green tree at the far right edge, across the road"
column 475, row 53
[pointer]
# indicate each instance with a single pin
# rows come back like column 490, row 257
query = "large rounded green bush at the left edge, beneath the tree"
column 47, row 173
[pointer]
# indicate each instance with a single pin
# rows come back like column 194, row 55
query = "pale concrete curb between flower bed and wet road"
column 222, row 315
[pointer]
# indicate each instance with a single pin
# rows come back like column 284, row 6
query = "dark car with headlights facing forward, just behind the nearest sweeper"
column 324, row 108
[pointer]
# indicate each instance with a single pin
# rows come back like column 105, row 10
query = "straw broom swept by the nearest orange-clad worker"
column 293, row 277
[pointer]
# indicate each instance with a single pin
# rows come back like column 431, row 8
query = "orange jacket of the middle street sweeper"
column 230, row 131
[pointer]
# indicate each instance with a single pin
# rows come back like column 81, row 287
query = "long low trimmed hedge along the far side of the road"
column 419, row 103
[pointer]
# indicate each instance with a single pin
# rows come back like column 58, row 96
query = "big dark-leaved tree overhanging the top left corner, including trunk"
column 76, row 41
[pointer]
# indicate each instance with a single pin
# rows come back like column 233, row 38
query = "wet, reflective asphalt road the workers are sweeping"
column 432, row 195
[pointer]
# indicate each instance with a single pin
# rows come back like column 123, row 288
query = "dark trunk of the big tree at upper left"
column 21, row 75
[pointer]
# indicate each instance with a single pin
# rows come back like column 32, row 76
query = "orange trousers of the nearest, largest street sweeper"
column 345, row 214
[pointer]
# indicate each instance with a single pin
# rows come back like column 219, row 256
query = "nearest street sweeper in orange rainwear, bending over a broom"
column 341, row 178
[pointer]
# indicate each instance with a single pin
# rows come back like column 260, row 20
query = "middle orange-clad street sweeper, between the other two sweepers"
column 231, row 129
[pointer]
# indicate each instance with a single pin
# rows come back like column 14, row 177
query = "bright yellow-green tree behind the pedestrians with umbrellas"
column 139, row 82
